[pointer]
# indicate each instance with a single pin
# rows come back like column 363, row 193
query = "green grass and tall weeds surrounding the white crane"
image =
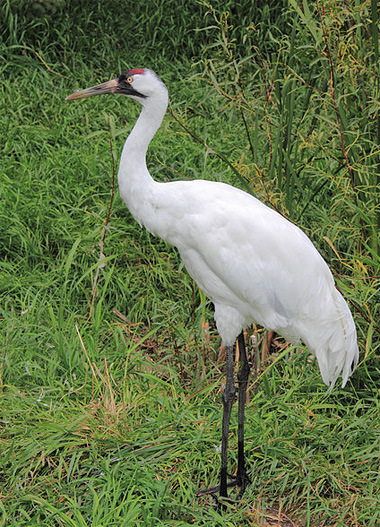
column 110, row 375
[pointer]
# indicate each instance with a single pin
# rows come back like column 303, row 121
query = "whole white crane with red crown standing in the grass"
column 255, row 266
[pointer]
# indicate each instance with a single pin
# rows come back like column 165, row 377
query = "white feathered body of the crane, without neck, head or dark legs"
column 257, row 267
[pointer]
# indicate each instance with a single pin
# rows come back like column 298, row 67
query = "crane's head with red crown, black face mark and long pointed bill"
column 139, row 84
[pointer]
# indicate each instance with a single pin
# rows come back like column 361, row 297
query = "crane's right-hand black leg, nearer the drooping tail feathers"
column 243, row 374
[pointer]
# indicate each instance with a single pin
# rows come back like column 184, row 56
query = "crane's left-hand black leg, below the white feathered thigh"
column 228, row 398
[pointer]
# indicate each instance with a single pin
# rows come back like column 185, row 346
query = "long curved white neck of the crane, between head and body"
column 135, row 182
